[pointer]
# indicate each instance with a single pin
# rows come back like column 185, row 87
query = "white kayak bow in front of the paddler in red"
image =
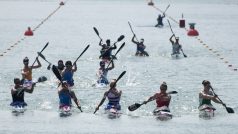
column 162, row 113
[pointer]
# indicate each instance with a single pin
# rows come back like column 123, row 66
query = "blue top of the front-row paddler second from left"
column 64, row 98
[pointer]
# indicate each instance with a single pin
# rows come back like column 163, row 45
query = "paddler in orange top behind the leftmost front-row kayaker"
column 27, row 71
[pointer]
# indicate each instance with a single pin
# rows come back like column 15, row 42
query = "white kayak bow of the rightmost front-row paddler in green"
column 206, row 111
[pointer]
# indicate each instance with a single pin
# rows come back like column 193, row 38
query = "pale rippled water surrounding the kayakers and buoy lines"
column 69, row 31
